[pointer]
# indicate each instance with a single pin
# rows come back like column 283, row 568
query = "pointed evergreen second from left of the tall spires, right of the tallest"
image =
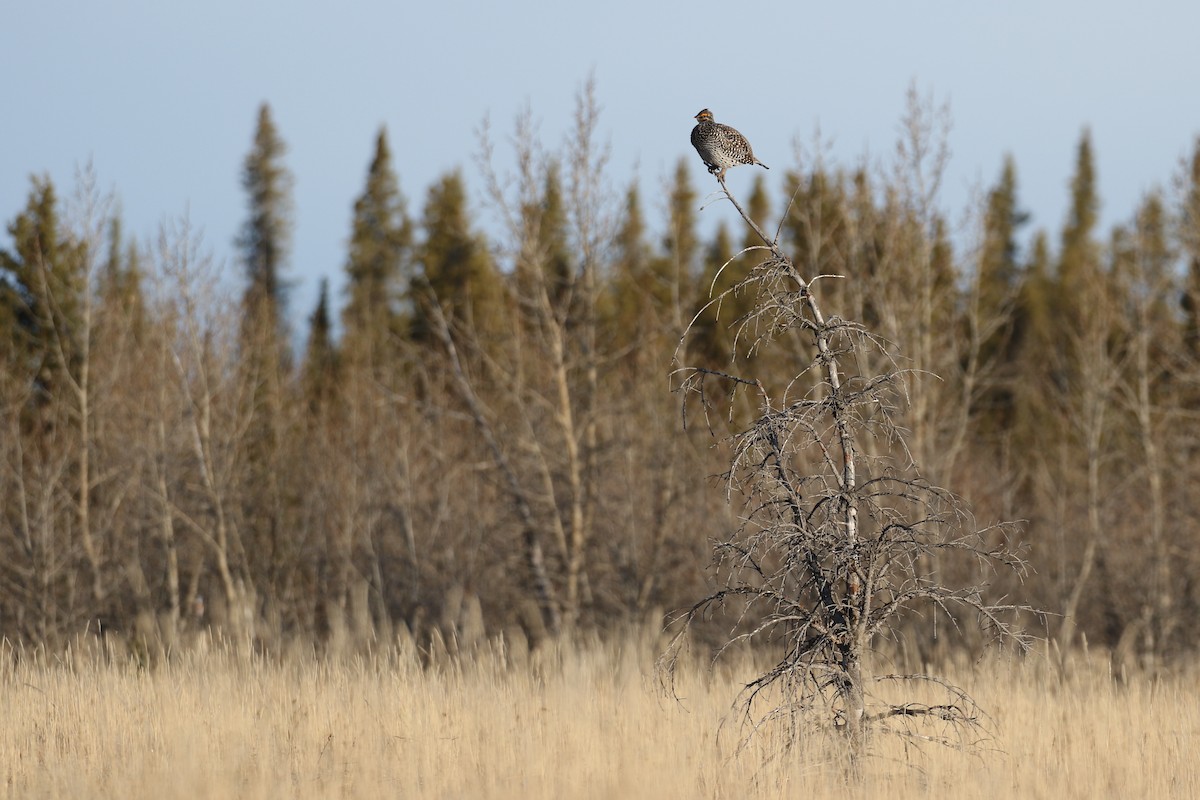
column 379, row 264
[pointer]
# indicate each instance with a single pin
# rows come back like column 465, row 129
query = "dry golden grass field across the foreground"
column 586, row 723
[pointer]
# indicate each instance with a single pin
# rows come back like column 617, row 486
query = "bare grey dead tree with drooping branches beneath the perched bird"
column 837, row 526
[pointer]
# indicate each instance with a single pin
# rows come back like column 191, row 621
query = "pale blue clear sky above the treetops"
column 163, row 95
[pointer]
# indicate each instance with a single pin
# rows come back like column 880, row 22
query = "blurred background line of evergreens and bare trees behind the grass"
column 493, row 444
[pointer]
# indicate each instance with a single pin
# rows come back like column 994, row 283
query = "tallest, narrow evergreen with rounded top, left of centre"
column 265, row 240
